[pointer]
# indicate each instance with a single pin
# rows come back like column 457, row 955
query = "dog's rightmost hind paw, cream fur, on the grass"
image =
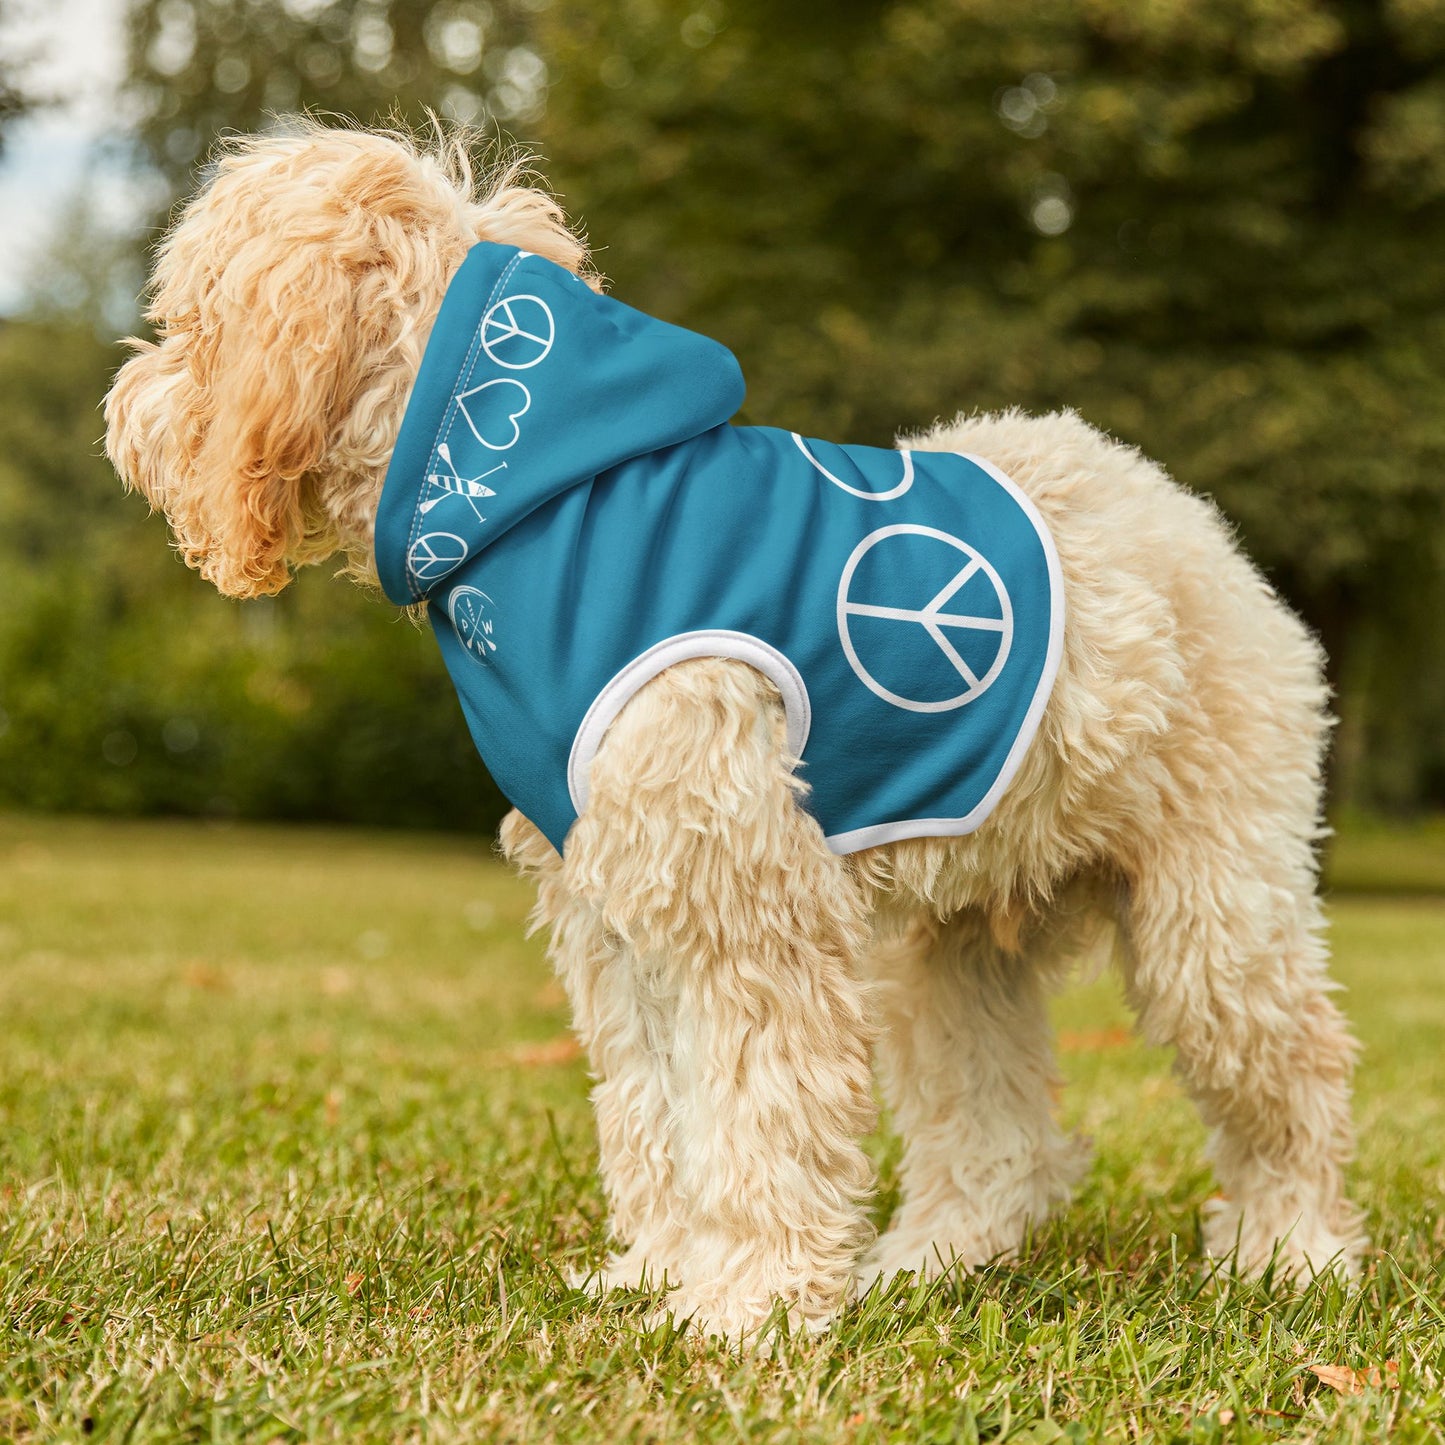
column 1298, row 1245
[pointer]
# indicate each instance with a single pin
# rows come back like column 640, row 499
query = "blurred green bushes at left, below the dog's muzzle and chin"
column 126, row 686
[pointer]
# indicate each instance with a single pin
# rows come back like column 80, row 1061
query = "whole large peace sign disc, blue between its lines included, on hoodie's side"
column 959, row 634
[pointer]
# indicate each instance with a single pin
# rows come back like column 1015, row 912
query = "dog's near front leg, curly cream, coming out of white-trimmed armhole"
column 733, row 936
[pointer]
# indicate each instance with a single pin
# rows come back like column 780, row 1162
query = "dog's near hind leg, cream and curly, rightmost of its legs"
column 1226, row 963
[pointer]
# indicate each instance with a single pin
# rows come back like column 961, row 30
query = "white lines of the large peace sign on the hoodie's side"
column 931, row 618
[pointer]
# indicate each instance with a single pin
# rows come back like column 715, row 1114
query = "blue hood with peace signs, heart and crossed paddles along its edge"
column 483, row 444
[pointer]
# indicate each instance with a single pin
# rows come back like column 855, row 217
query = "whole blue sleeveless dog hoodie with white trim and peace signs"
column 573, row 505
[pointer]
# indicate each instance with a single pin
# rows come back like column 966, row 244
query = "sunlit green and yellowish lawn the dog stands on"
column 293, row 1148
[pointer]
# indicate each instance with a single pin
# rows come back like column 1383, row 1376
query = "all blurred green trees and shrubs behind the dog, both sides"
column 1215, row 228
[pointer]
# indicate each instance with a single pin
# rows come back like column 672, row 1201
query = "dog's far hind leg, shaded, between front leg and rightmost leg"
column 967, row 1064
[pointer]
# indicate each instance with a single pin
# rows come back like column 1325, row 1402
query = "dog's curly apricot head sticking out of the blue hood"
column 293, row 301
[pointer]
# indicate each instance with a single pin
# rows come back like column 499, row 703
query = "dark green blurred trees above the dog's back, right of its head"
column 1219, row 230
